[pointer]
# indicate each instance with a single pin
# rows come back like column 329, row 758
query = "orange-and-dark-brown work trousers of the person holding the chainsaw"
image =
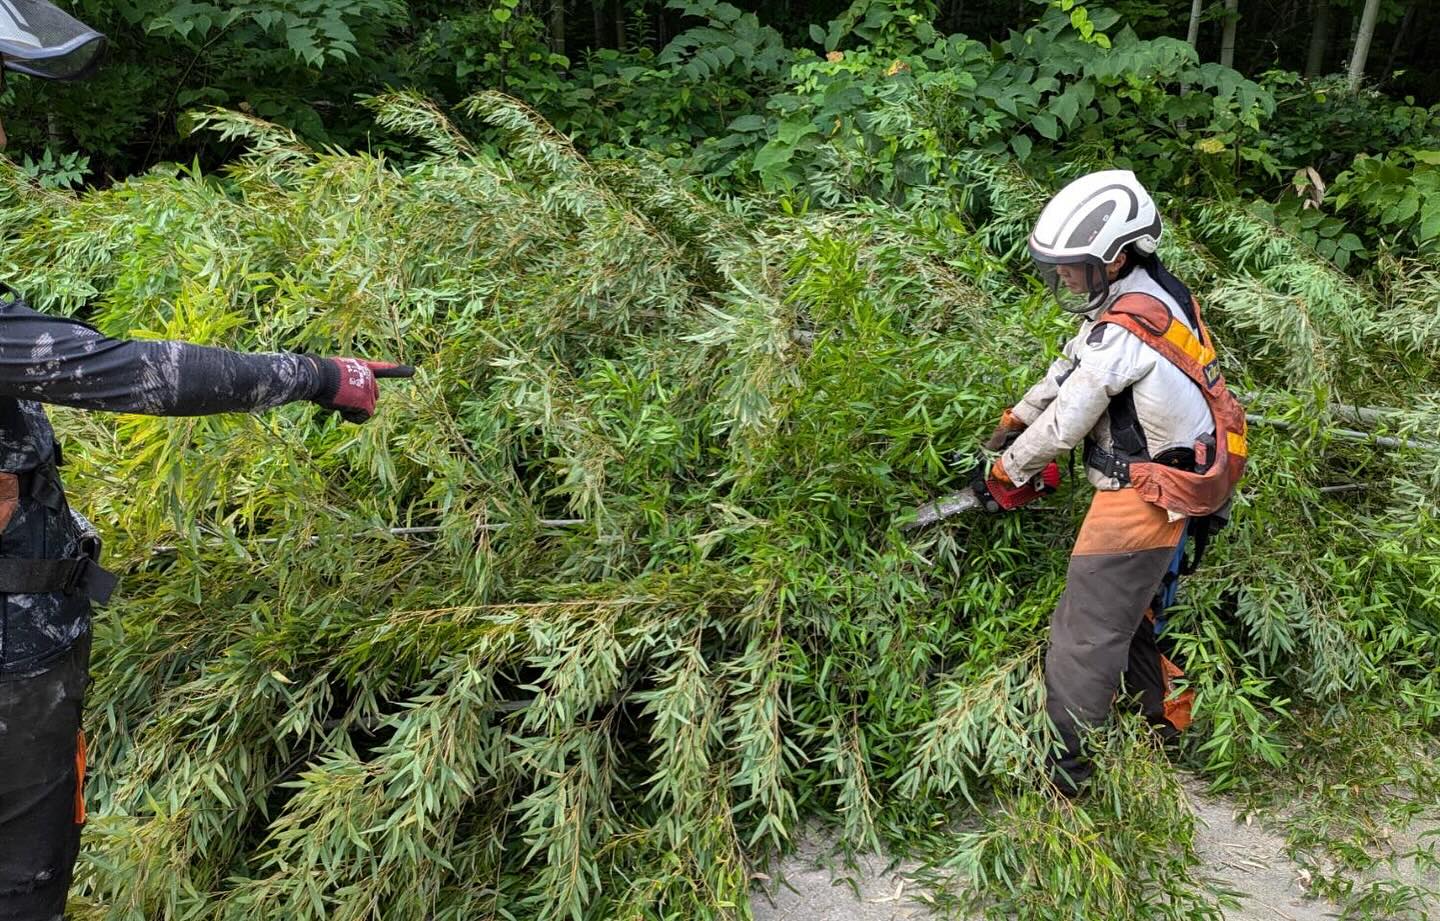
column 1099, row 634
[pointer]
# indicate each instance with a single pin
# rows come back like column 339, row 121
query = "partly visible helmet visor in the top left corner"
column 44, row 41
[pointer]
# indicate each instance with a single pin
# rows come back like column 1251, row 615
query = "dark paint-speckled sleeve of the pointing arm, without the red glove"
column 60, row 360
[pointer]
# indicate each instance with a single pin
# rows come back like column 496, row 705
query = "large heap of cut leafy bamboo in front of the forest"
column 303, row 714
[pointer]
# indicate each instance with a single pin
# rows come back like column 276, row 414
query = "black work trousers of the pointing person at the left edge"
column 42, row 779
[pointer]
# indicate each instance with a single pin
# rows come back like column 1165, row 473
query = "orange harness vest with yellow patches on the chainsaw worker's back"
column 1186, row 491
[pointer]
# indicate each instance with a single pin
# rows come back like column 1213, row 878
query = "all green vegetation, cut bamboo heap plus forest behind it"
column 610, row 602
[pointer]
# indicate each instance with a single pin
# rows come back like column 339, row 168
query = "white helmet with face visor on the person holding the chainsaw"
column 1086, row 225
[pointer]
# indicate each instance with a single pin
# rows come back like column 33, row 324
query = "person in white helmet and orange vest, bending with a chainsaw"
column 1164, row 447
